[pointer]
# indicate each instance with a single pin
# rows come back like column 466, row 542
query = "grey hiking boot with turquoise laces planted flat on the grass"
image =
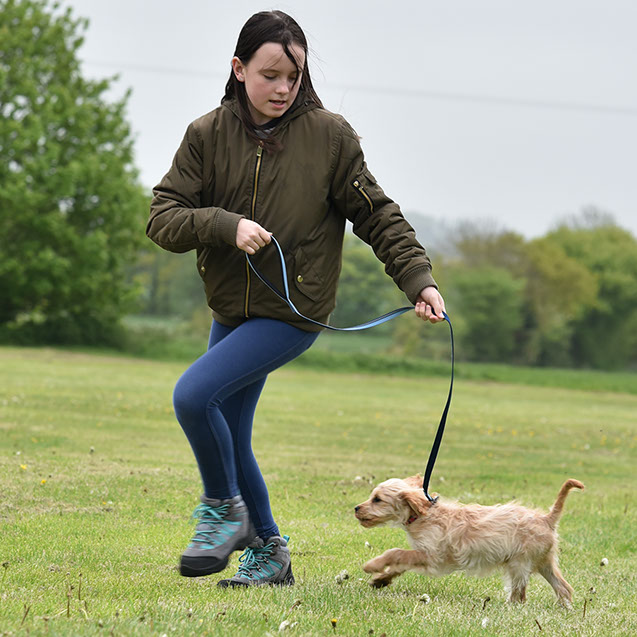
column 263, row 563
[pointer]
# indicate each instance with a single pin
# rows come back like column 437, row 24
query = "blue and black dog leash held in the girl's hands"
column 285, row 297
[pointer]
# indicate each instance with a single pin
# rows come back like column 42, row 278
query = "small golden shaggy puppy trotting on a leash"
column 447, row 537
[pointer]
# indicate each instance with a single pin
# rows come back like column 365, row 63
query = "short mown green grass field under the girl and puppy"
column 97, row 483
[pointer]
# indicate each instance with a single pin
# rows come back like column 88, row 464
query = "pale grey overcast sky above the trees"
column 511, row 114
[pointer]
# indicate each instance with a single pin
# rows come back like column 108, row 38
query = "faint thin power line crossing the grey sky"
column 600, row 109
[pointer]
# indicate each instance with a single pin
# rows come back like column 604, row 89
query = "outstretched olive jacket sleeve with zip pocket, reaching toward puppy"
column 377, row 219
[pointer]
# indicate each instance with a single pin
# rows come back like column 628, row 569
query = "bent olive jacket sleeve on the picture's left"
column 178, row 222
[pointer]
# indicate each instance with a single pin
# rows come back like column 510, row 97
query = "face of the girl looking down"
column 271, row 80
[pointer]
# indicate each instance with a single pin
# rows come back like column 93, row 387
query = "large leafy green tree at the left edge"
column 71, row 207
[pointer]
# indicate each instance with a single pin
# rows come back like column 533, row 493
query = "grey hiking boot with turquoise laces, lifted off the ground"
column 224, row 526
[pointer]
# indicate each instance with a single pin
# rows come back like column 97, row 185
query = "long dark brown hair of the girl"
column 262, row 27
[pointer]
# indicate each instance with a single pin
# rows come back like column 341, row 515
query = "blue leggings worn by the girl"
column 215, row 401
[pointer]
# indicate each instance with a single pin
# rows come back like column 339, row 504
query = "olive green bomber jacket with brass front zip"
column 303, row 194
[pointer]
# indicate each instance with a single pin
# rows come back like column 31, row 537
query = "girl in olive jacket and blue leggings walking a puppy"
column 269, row 160
